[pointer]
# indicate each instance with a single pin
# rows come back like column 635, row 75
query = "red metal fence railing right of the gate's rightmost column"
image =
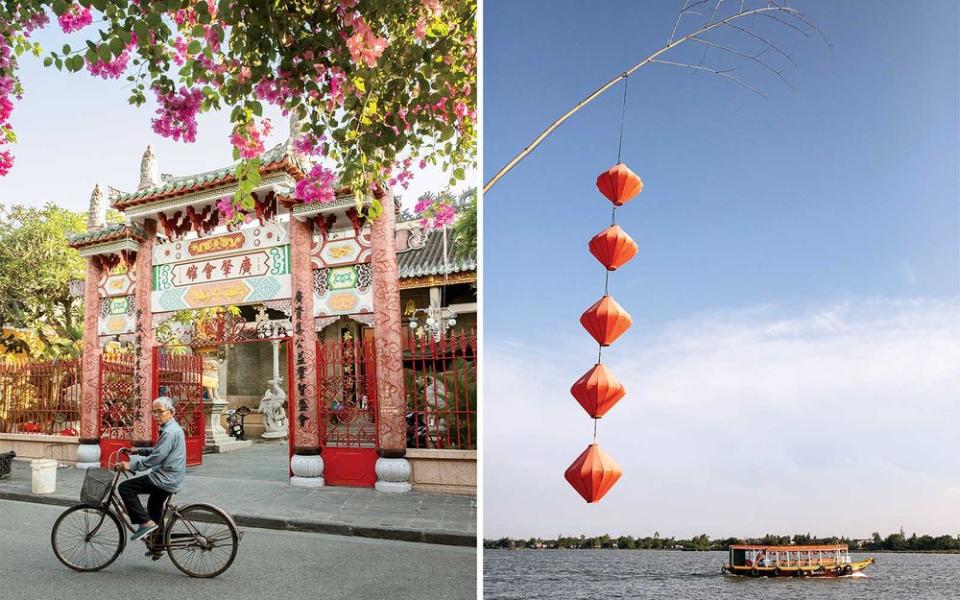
column 440, row 381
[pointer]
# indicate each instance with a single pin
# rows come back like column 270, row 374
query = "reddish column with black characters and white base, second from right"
column 306, row 463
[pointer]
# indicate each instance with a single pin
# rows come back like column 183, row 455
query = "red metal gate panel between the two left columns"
column 117, row 410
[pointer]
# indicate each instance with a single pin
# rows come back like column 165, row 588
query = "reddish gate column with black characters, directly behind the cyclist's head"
column 143, row 339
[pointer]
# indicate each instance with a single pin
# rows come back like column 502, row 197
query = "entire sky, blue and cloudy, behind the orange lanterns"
column 801, row 248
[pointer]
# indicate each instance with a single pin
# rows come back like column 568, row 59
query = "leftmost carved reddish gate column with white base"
column 88, row 453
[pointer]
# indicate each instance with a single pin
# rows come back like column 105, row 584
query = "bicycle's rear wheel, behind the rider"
column 202, row 540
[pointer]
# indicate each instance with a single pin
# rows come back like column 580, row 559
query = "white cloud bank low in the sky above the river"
column 840, row 420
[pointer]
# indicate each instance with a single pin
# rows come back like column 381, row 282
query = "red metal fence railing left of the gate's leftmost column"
column 41, row 397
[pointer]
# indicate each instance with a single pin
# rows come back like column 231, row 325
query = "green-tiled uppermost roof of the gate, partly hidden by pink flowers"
column 278, row 158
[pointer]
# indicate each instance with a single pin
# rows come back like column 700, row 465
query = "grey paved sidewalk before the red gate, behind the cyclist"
column 251, row 484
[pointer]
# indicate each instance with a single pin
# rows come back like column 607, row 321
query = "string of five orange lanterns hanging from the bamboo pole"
column 594, row 472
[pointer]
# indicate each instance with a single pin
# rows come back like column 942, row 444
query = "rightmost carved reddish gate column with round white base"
column 393, row 471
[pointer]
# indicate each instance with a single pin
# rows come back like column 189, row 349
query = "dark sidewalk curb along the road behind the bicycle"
column 305, row 525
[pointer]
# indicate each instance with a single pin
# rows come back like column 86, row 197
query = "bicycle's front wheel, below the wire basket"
column 86, row 538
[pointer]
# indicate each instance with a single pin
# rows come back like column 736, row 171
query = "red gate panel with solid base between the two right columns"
column 347, row 399
